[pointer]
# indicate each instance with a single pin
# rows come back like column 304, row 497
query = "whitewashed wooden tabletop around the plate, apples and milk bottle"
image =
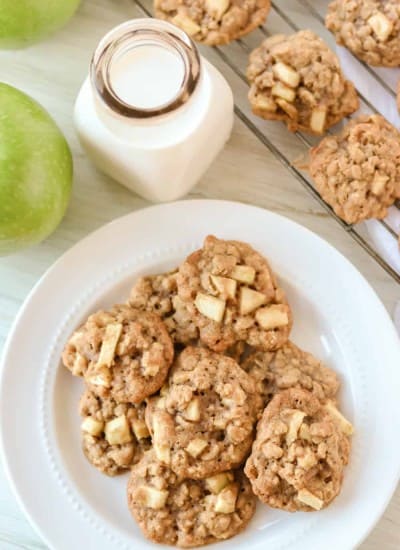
column 52, row 72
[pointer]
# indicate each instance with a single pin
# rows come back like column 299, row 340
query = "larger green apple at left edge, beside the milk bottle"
column 35, row 171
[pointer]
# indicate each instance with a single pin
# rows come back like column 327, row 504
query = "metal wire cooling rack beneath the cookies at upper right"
column 288, row 16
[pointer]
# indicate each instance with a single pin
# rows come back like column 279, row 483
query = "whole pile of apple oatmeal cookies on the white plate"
column 195, row 387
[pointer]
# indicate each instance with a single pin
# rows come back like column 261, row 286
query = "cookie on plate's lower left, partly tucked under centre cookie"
column 114, row 435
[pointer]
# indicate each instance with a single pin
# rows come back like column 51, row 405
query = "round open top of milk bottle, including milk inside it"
column 144, row 69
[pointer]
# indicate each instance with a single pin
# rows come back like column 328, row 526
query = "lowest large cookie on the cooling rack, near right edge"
column 357, row 172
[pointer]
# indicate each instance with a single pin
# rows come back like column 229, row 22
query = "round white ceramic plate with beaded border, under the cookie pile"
column 337, row 316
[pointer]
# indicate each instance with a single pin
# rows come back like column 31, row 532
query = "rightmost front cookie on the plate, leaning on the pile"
column 299, row 453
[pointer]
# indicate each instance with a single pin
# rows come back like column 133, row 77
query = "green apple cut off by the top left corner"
column 23, row 22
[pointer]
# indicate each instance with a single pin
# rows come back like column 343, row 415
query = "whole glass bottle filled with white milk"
column 153, row 114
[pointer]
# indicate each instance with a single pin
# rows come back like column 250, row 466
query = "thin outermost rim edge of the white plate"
column 71, row 251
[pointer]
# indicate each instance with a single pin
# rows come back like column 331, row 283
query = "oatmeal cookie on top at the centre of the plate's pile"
column 203, row 423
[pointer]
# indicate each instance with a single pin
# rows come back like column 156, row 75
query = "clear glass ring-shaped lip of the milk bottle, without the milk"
column 132, row 34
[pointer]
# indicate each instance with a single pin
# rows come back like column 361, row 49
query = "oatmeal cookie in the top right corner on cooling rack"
column 370, row 29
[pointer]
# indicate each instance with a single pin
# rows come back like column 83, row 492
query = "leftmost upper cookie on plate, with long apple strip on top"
column 123, row 353
